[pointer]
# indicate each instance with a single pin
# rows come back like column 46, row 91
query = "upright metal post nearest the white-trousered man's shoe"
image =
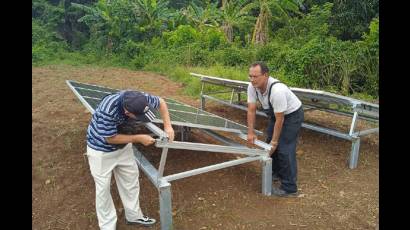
column 165, row 205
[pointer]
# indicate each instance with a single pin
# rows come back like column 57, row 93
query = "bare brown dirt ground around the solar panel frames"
column 63, row 194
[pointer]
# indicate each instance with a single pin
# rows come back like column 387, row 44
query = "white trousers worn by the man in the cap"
column 124, row 166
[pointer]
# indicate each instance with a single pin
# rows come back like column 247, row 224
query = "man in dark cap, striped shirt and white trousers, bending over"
column 106, row 156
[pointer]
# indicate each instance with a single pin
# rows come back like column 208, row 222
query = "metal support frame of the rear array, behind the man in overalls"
column 367, row 111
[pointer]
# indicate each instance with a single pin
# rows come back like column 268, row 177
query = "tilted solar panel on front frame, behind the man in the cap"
column 181, row 114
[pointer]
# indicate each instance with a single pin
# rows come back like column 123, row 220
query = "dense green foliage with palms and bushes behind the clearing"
column 330, row 45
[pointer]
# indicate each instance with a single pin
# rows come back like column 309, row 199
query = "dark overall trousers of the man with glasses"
column 284, row 158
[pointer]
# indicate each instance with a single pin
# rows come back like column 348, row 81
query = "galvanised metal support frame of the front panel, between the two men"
column 162, row 183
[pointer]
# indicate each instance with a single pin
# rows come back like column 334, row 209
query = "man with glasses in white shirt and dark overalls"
column 285, row 114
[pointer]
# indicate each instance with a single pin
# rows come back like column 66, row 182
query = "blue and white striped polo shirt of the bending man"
column 108, row 115
